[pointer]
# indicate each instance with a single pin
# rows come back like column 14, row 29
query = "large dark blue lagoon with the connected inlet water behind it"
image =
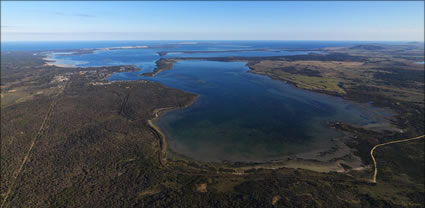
column 239, row 116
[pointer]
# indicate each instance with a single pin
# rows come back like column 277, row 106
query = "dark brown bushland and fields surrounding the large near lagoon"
column 98, row 149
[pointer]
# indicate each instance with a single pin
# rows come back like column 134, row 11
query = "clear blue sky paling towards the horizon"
column 212, row 20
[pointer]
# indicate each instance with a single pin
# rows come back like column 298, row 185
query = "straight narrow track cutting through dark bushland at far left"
column 36, row 137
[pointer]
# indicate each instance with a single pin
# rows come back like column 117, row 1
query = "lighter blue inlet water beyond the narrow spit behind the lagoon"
column 145, row 58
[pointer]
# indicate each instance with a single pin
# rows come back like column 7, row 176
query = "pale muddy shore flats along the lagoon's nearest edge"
column 337, row 157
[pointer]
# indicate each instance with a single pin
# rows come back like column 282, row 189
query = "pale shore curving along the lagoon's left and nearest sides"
column 328, row 159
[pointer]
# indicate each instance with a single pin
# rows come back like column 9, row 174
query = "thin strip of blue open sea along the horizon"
column 178, row 45
